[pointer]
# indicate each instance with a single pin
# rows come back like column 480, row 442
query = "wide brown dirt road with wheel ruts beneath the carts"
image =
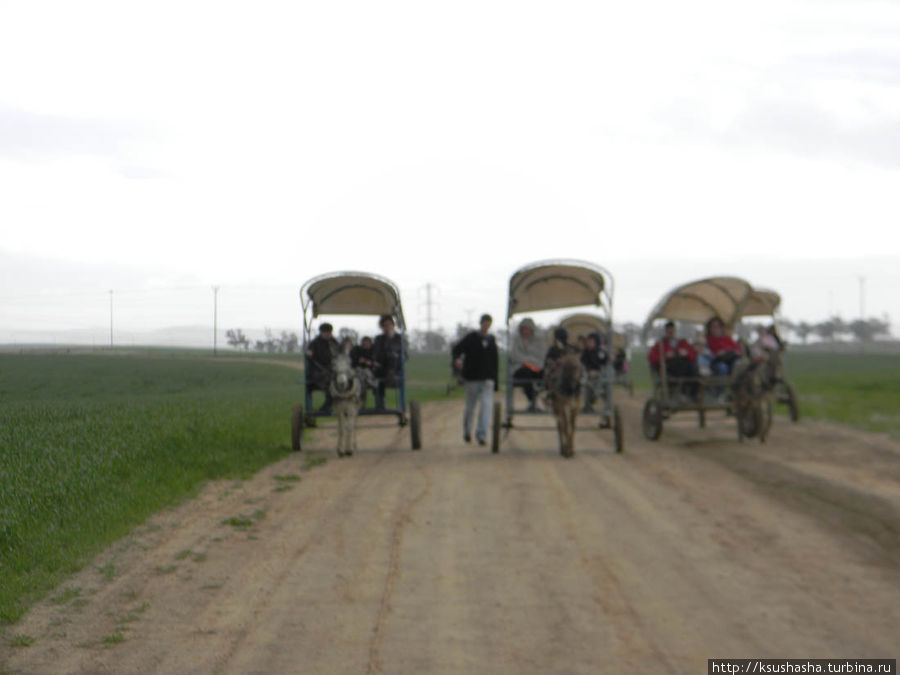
column 453, row 560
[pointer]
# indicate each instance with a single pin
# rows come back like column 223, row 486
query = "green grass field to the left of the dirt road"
column 92, row 445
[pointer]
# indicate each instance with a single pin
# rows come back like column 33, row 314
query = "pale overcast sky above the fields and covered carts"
column 155, row 145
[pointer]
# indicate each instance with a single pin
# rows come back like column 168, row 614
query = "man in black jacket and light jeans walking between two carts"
column 476, row 355
